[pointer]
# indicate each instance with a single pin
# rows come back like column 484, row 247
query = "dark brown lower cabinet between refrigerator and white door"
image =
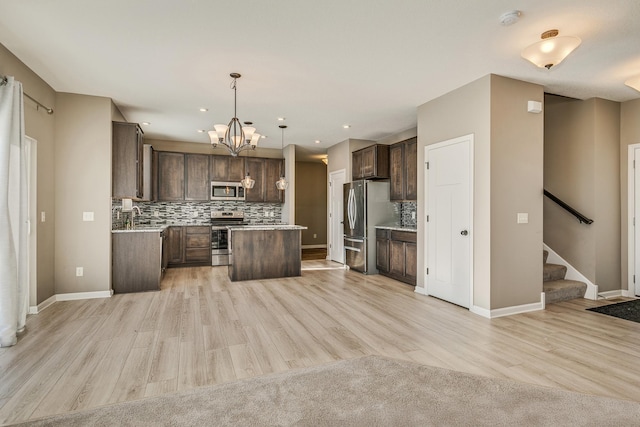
column 397, row 254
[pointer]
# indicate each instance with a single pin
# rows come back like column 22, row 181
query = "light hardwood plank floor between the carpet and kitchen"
column 201, row 329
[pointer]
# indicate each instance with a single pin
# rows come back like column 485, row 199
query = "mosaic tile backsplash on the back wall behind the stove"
column 160, row 213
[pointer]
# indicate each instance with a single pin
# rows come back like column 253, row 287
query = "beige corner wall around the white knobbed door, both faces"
column 507, row 270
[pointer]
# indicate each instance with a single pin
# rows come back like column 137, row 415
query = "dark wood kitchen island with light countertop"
column 264, row 251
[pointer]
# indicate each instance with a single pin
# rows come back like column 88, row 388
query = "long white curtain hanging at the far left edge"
column 14, row 286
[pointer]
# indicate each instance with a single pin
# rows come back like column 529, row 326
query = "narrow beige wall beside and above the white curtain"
column 40, row 126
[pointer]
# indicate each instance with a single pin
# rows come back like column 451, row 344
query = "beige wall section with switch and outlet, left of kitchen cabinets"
column 83, row 184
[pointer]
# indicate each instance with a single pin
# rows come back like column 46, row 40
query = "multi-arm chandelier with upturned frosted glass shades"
column 234, row 136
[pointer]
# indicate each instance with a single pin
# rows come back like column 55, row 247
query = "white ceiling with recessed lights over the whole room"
column 322, row 64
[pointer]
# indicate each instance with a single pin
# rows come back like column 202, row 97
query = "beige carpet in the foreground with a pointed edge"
column 369, row 391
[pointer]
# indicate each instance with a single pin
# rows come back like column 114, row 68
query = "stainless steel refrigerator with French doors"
column 366, row 204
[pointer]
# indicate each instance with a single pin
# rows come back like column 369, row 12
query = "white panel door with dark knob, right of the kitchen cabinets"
column 448, row 180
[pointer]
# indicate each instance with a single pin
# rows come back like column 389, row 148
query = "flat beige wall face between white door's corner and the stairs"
column 516, row 187
